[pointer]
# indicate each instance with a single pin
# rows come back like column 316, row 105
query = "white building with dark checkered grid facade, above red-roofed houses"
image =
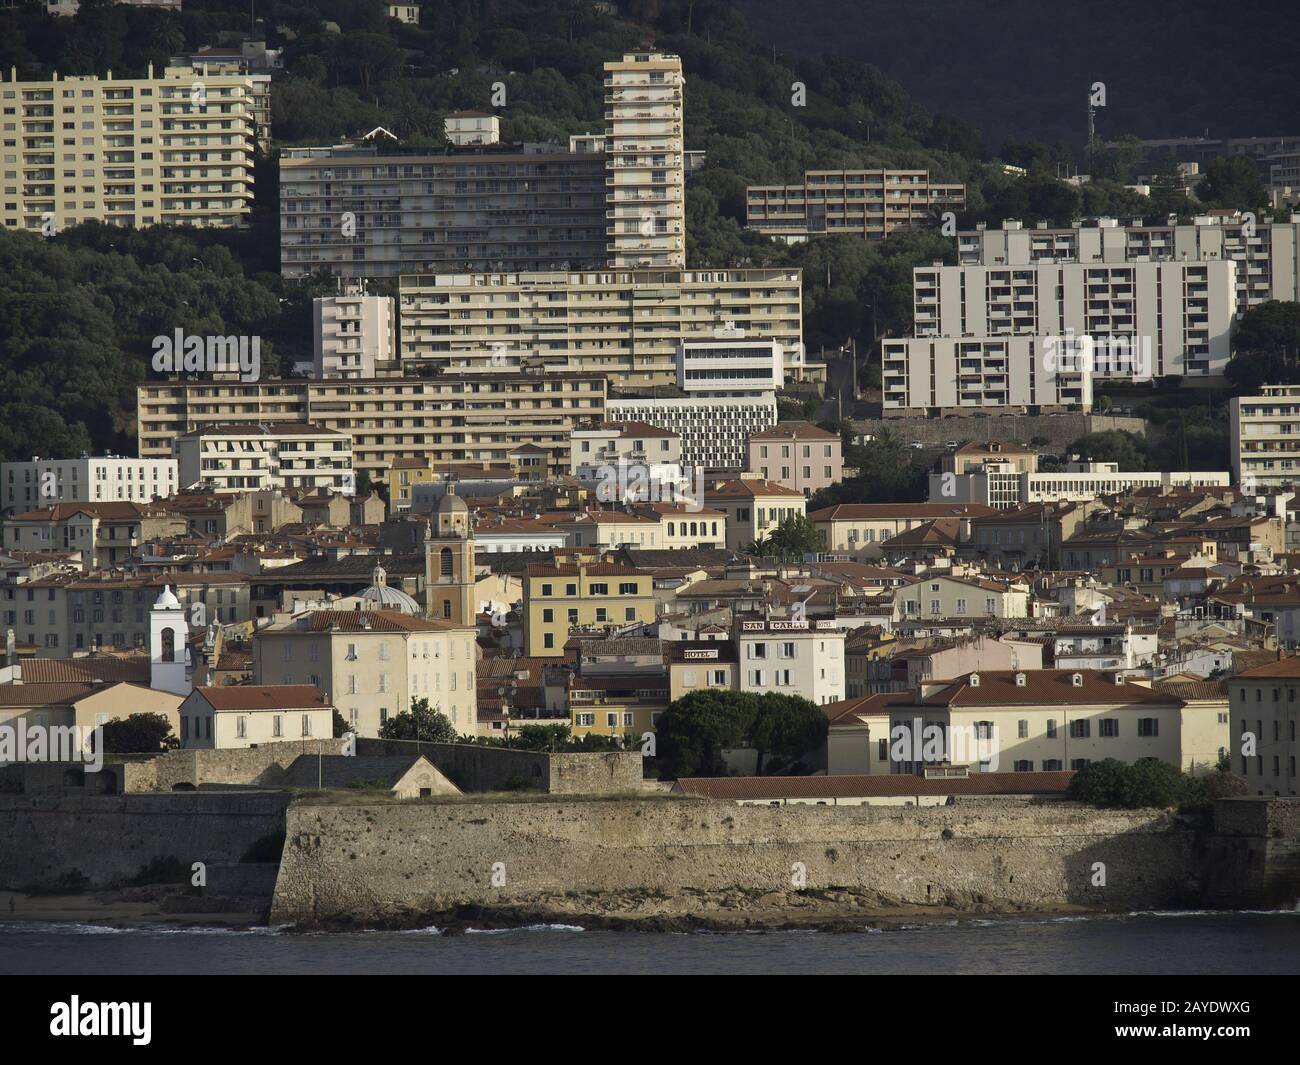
column 713, row 428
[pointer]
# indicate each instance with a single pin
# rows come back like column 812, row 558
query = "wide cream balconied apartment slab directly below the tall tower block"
column 627, row 324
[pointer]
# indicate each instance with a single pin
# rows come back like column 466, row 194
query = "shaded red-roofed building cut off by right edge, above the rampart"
column 1266, row 708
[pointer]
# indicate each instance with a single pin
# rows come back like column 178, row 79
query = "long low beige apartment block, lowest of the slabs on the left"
column 448, row 419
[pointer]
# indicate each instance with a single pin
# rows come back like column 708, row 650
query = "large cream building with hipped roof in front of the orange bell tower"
column 371, row 664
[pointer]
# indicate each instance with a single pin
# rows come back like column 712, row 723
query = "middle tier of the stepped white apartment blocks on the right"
column 1172, row 319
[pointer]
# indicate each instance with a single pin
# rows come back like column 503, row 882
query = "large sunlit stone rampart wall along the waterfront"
column 372, row 864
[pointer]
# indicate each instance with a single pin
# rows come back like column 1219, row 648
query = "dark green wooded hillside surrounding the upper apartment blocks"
column 79, row 311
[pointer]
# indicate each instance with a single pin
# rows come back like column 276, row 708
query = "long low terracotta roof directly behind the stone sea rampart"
column 877, row 786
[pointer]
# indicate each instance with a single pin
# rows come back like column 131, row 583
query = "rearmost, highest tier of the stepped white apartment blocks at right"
column 1268, row 254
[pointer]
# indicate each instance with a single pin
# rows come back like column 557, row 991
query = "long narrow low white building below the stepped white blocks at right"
column 1000, row 486
